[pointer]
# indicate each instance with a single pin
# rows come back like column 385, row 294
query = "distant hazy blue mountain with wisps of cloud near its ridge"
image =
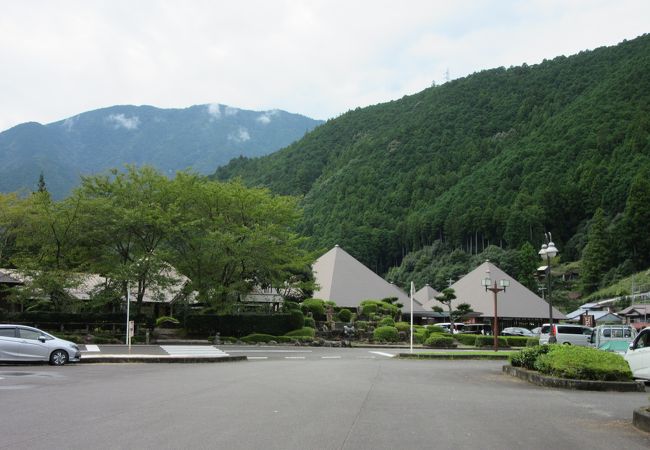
column 201, row 137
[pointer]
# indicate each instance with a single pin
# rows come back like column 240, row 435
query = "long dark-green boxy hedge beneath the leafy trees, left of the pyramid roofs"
column 243, row 324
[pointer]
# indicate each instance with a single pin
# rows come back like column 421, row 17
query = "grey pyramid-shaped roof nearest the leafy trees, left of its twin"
column 347, row 282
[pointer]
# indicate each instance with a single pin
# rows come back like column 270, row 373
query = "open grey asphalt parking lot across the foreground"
column 356, row 401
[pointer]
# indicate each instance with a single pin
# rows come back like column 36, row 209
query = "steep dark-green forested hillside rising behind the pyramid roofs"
column 497, row 157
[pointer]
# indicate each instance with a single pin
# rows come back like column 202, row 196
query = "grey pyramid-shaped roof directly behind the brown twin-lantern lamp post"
column 517, row 301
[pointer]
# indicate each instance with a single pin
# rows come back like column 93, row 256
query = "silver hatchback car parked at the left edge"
column 21, row 343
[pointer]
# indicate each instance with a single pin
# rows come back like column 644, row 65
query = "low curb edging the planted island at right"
column 582, row 385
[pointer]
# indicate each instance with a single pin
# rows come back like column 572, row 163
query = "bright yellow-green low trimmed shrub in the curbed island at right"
column 583, row 363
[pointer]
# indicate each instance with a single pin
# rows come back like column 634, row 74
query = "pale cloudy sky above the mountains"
column 319, row 58
